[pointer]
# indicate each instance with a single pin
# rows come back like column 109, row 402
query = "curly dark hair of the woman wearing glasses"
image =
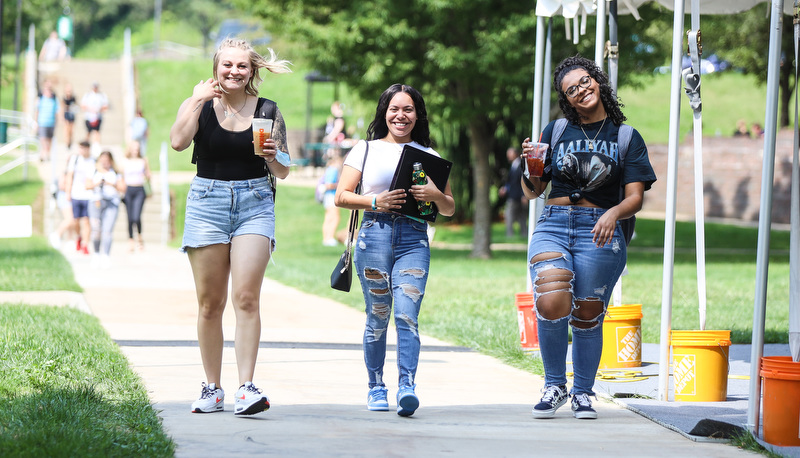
column 611, row 102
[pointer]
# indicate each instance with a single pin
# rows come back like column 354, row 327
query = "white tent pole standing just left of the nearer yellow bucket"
column 669, row 217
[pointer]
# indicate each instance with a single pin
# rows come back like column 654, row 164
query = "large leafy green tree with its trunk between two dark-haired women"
column 471, row 60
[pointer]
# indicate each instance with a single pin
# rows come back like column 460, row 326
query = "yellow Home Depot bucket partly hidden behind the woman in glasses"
column 622, row 337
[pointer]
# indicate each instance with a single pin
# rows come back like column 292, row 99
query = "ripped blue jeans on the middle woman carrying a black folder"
column 392, row 258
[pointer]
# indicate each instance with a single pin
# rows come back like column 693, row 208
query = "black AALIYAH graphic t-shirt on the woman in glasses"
column 590, row 168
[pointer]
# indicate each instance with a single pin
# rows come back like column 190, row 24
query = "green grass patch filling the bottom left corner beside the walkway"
column 68, row 391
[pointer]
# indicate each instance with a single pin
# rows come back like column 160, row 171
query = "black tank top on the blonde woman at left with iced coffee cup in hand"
column 223, row 154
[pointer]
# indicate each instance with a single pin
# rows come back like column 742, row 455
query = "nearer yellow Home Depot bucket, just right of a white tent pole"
column 700, row 365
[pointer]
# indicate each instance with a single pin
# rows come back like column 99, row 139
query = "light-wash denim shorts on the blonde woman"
column 218, row 210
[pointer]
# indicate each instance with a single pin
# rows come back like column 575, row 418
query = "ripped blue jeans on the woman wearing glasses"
column 566, row 265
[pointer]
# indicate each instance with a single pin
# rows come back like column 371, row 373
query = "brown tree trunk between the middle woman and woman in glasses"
column 482, row 227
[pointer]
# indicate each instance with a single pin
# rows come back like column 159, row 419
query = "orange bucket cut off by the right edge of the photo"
column 781, row 400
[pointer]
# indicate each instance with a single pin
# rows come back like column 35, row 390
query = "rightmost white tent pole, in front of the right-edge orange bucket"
column 765, row 214
